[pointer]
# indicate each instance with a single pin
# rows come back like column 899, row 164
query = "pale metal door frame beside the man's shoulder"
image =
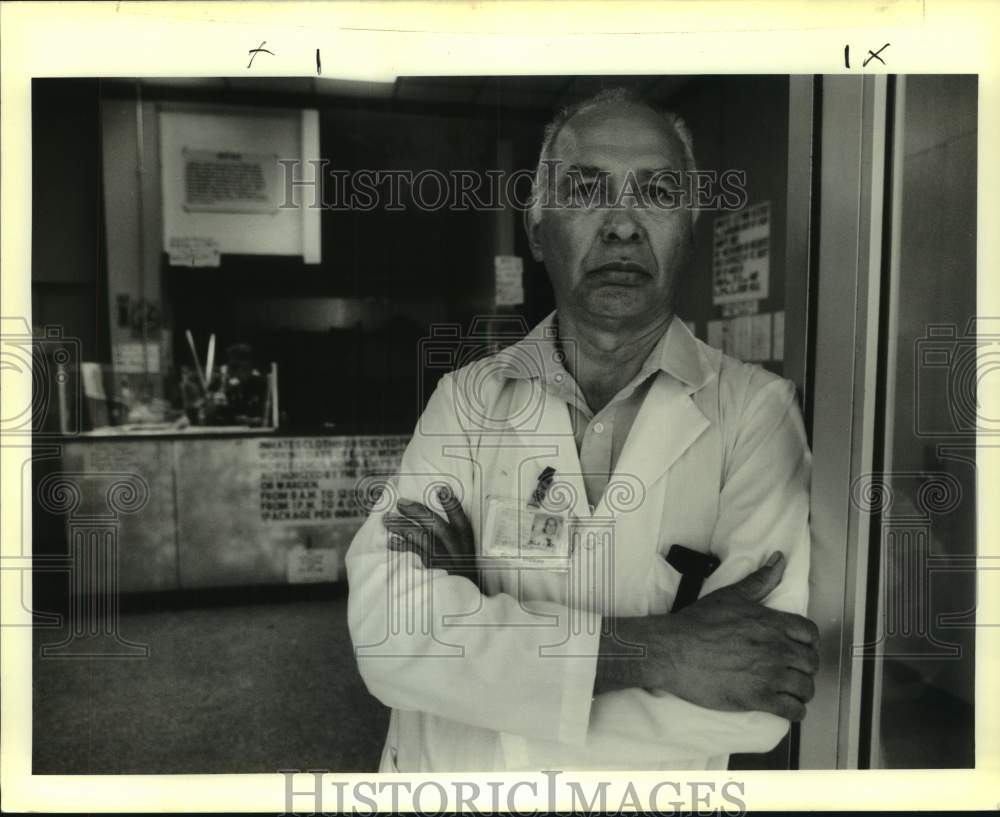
column 840, row 379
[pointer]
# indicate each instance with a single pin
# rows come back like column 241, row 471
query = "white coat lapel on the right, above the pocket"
column 667, row 425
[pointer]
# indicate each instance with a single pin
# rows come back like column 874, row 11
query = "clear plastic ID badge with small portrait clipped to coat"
column 520, row 534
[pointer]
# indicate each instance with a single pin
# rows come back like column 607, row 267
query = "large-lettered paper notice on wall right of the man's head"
column 741, row 251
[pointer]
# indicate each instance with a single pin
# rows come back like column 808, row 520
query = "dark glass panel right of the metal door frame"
column 924, row 679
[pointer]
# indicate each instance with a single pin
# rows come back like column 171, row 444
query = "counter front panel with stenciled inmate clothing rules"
column 192, row 510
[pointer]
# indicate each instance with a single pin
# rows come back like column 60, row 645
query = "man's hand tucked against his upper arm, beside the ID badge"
column 448, row 545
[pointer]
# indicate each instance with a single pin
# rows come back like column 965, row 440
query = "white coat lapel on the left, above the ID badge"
column 548, row 433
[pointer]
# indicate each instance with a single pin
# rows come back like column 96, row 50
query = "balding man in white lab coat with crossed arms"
column 613, row 416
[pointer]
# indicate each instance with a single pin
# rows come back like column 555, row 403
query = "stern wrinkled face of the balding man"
column 613, row 250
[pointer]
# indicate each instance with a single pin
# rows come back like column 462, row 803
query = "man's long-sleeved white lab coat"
column 716, row 460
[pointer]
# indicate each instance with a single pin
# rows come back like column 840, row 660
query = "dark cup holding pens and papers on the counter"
column 235, row 393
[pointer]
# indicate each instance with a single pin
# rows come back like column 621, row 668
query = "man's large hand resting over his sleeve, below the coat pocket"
column 726, row 651
